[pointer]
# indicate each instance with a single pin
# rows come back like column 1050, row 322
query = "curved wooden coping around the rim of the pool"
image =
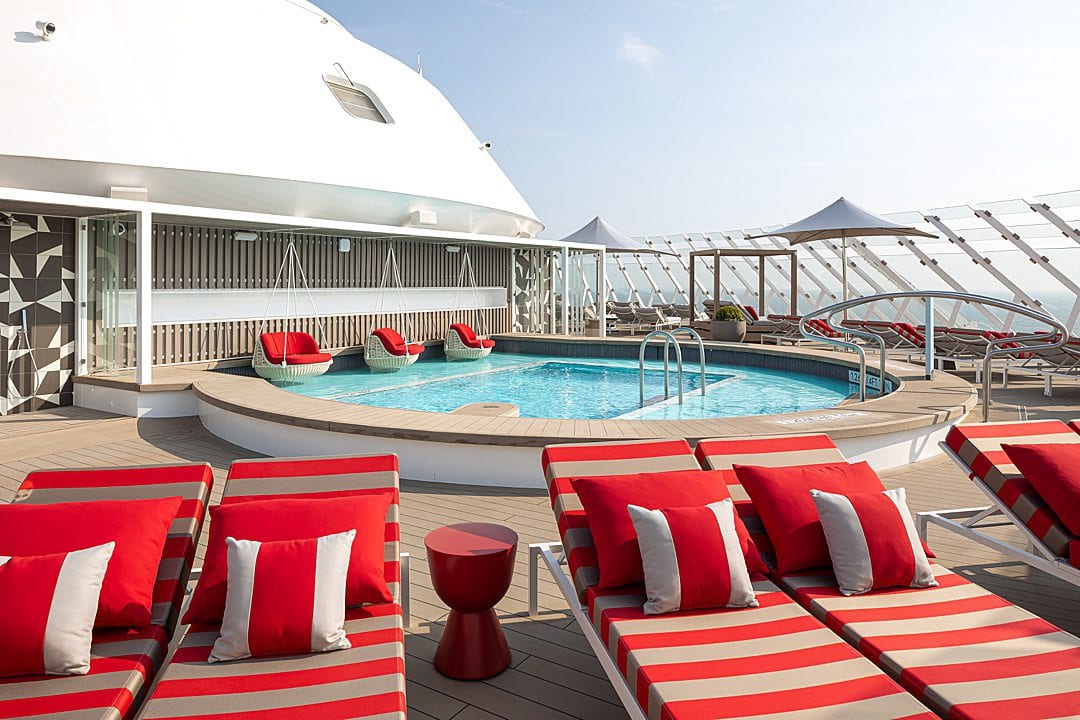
column 916, row 404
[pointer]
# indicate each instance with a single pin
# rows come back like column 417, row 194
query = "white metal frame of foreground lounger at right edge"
column 971, row 522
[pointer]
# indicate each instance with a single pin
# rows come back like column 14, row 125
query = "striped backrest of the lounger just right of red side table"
column 563, row 463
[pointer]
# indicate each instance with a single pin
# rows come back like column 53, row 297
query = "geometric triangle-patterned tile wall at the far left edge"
column 37, row 276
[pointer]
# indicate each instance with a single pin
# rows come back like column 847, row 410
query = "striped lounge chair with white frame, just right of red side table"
column 774, row 661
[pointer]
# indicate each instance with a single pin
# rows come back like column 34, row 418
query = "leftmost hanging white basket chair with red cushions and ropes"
column 290, row 355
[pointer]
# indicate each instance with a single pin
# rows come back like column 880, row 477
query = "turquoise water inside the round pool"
column 588, row 389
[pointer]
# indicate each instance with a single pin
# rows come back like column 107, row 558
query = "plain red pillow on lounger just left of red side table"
column 296, row 519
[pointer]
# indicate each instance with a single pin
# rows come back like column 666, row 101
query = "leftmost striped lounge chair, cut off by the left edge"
column 124, row 662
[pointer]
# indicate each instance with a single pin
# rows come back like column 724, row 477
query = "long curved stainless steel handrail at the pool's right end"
column 1057, row 337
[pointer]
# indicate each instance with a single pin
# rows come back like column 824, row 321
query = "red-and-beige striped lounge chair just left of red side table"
column 364, row 682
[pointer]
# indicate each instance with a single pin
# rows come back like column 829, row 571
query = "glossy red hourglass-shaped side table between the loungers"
column 471, row 567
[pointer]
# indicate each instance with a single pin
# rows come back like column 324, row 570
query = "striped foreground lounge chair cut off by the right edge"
column 977, row 450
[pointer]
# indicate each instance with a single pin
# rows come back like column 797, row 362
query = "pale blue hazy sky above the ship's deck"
column 667, row 116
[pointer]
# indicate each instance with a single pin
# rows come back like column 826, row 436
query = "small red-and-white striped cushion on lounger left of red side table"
column 285, row 597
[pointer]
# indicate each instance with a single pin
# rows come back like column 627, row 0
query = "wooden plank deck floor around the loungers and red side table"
column 555, row 676
